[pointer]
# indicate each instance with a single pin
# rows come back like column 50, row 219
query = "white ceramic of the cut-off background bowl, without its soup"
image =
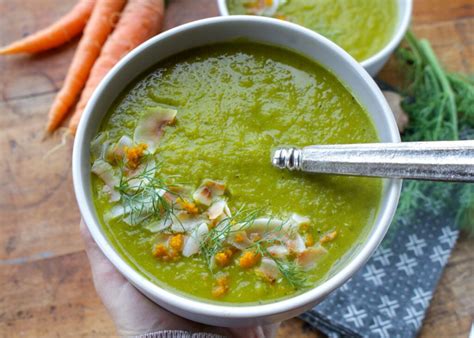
column 374, row 63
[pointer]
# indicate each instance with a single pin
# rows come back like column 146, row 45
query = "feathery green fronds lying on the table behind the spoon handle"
column 441, row 107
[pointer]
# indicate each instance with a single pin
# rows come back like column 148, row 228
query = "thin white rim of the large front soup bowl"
column 203, row 307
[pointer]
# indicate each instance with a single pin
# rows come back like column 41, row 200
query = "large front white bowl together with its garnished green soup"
column 173, row 178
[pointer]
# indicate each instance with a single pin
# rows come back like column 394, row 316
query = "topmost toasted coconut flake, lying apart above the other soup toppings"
column 150, row 127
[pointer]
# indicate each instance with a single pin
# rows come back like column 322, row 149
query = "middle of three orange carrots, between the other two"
column 96, row 32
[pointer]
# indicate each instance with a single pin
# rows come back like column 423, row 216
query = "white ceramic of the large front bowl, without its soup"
column 209, row 31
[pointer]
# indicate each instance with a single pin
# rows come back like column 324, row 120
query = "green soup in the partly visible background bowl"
column 361, row 27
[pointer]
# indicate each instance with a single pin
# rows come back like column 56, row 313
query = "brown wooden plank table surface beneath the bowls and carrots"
column 45, row 282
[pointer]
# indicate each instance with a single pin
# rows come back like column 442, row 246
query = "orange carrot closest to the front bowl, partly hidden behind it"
column 140, row 20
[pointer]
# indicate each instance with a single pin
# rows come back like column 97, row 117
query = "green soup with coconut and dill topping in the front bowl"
column 232, row 103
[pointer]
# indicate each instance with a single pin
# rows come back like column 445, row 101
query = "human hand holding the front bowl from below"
column 134, row 314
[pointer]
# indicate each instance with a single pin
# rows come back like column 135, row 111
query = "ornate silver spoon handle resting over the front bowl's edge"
column 437, row 161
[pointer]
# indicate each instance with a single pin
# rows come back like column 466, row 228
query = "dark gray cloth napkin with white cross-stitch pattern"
column 389, row 296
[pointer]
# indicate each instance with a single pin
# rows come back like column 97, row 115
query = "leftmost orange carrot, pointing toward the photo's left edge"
column 55, row 35
